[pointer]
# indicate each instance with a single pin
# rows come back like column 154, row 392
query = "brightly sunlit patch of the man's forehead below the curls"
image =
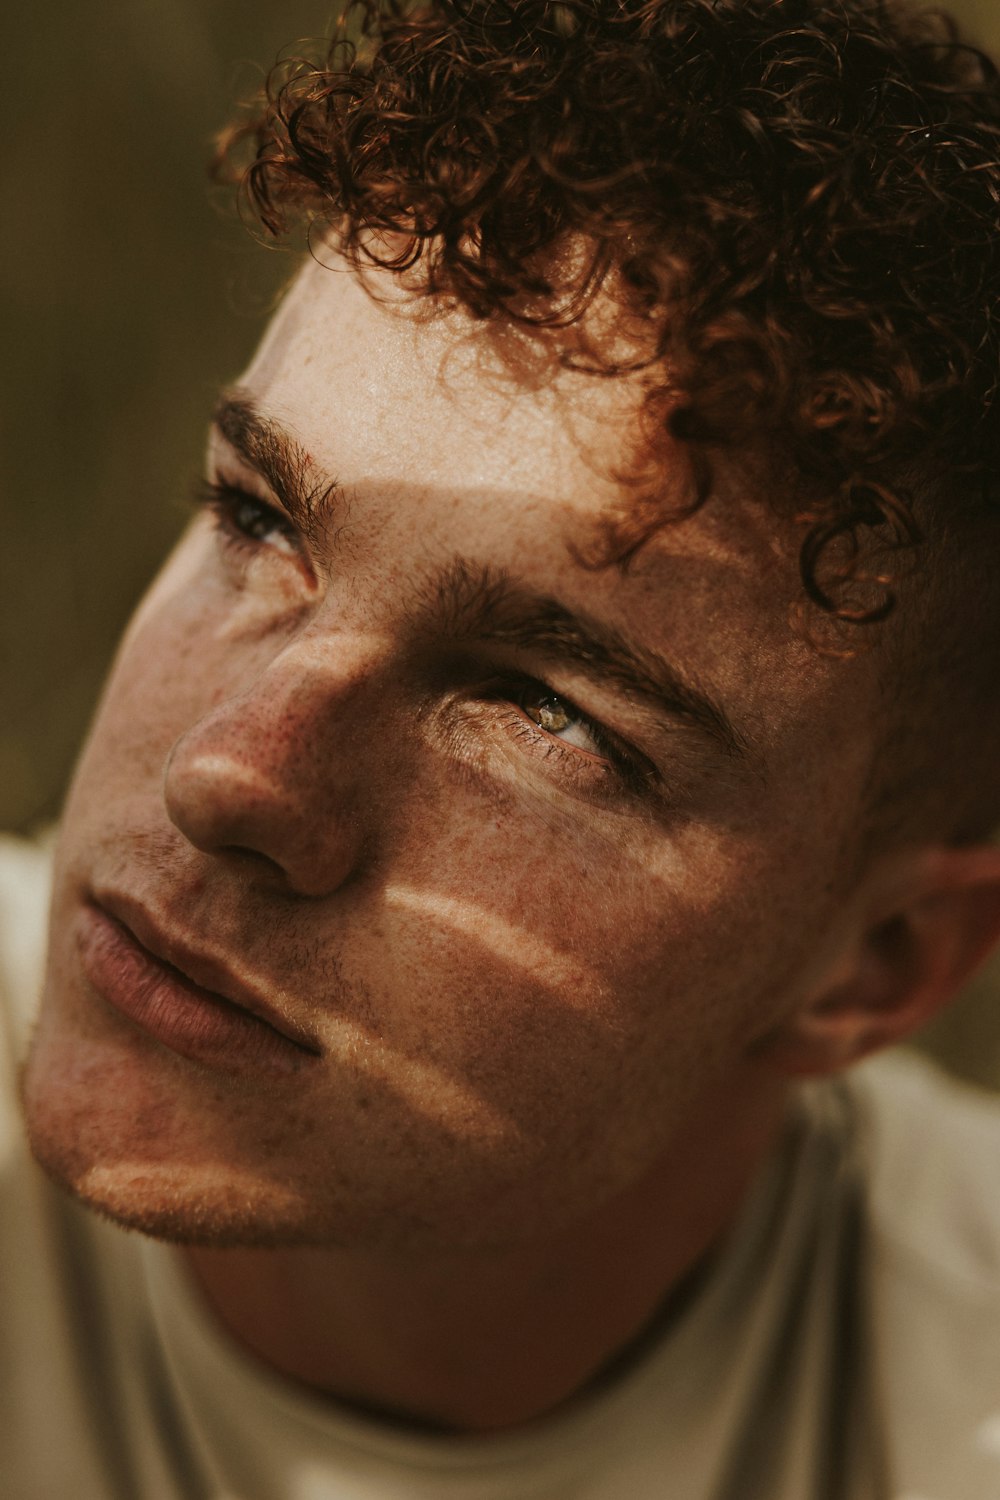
column 410, row 388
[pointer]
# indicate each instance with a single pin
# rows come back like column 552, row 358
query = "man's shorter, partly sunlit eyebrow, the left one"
column 280, row 460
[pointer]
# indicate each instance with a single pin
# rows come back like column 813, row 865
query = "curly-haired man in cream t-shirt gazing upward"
column 558, row 751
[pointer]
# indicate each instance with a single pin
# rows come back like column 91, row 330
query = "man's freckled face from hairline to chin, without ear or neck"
column 524, row 857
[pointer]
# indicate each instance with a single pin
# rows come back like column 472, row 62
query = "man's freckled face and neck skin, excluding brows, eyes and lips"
column 543, row 1003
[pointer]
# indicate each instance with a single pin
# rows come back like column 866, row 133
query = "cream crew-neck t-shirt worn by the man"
column 843, row 1346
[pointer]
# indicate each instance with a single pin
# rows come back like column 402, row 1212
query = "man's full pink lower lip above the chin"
column 178, row 1013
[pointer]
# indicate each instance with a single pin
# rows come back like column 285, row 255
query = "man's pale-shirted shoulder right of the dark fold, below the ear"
column 930, row 1159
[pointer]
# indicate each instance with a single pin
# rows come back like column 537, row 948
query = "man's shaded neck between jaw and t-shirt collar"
column 479, row 1343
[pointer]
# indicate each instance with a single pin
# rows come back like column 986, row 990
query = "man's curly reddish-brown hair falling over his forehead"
column 801, row 197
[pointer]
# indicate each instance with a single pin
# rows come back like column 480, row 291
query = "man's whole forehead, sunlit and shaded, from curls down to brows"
column 436, row 425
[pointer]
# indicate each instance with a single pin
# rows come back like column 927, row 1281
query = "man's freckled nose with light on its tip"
column 269, row 773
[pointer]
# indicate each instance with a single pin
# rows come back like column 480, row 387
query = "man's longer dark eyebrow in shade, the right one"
column 484, row 604
